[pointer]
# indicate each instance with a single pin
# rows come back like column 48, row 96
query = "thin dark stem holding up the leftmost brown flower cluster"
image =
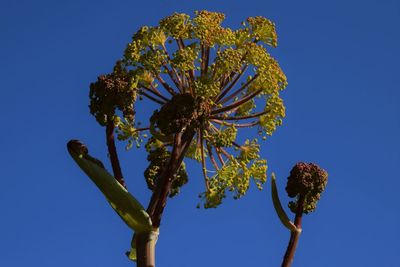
column 112, row 152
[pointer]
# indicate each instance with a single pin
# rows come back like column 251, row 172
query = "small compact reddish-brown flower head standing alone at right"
column 306, row 182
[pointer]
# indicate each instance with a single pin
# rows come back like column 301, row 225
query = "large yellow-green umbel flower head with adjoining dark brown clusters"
column 208, row 81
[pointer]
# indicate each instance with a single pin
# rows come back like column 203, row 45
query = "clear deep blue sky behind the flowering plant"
column 342, row 62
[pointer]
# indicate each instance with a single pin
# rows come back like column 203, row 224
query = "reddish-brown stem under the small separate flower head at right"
column 295, row 235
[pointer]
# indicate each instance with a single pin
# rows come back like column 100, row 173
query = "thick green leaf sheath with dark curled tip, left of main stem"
column 127, row 207
